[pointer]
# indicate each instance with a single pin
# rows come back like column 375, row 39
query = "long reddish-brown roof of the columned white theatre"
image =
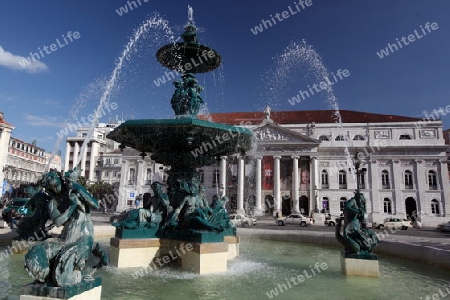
column 305, row 117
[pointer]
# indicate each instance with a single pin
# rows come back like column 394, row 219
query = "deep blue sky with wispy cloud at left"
column 38, row 99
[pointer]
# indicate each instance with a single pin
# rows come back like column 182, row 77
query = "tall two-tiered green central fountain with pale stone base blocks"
column 183, row 214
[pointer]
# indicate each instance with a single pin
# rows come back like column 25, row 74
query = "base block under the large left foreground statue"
column 91, row 290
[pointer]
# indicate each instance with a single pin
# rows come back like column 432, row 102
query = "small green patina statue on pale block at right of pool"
column 358, row 240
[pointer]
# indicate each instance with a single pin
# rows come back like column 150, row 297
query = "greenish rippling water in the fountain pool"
column 261, row 266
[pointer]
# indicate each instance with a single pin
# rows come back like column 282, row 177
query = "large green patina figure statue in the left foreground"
column 63, row 261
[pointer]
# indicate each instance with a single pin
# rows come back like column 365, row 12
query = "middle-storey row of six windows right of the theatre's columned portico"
column 385, row 180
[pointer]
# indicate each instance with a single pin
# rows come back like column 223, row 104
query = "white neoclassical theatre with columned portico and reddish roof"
column 302, row 162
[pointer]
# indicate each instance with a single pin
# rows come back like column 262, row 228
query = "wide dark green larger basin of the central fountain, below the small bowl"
column 188, row 140
